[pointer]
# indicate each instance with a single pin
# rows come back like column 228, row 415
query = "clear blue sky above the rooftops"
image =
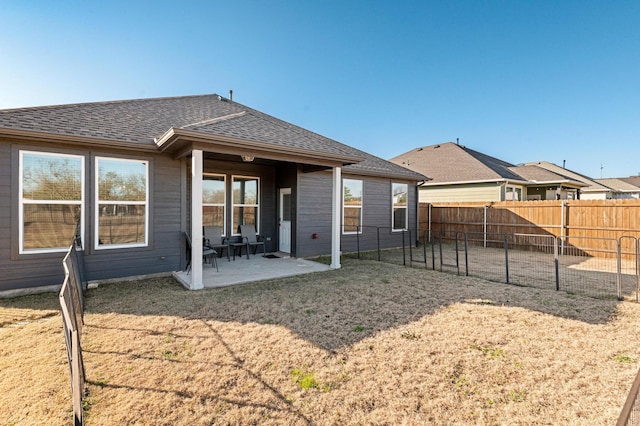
column 518, row 80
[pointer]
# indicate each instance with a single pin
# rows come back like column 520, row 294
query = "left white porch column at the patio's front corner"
column 196, row 219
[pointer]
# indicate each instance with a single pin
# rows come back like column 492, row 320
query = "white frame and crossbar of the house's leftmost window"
column 22, row 202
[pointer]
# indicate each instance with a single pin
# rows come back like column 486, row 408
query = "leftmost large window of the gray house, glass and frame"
column 51, row 191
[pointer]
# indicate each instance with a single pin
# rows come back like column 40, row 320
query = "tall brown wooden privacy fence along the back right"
column 590, row 219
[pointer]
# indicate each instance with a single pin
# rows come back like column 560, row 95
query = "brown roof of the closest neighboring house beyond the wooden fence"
column 451, row 163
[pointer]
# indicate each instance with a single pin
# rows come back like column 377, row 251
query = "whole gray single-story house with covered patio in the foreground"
column 130, row 177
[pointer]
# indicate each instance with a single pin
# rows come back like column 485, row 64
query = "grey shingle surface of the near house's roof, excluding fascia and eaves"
column 140, row 121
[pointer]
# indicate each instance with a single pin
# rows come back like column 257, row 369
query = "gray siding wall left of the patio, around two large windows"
column 33, row 270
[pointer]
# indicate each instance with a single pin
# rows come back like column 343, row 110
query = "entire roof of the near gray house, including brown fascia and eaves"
column 166, row 124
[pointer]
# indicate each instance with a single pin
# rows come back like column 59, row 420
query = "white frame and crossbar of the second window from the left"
column 96, row 219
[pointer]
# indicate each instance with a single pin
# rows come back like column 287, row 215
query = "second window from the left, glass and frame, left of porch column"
column 122, row 194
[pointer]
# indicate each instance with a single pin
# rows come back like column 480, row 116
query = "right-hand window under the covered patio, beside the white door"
column 246, row 202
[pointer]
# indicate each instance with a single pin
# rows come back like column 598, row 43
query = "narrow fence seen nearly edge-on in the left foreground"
column 72, row 305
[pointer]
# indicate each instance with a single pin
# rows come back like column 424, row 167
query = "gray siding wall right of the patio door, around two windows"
column 314, row 214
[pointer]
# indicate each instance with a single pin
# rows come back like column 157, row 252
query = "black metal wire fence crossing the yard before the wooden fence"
column 595, row 267
